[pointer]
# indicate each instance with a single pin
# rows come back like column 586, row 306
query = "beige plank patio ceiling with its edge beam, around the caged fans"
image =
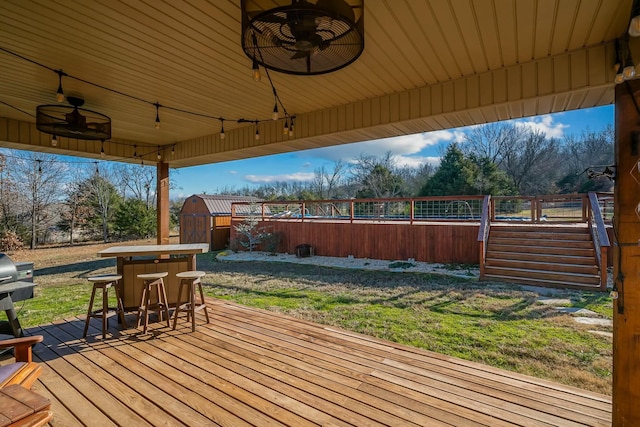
column 427, row 64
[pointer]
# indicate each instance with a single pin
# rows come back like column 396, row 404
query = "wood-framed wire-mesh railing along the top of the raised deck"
column 554, row 208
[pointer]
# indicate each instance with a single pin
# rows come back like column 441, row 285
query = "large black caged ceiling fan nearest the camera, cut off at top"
column 303, row 37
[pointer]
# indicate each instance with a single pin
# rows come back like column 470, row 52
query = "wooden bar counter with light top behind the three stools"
column 134, row 260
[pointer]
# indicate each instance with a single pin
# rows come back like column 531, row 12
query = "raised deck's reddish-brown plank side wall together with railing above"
column 450, row 229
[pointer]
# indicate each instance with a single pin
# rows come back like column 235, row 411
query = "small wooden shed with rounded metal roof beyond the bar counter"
column 206, row 218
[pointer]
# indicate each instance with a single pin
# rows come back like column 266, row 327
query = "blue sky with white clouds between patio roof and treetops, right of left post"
column 410, row 150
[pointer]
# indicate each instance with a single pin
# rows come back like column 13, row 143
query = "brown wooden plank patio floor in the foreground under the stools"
column 250, row 367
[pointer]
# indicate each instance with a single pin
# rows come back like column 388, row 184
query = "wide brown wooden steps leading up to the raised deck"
column 542, row 255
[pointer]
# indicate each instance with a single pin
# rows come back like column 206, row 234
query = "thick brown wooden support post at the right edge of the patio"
column 626, row 309
